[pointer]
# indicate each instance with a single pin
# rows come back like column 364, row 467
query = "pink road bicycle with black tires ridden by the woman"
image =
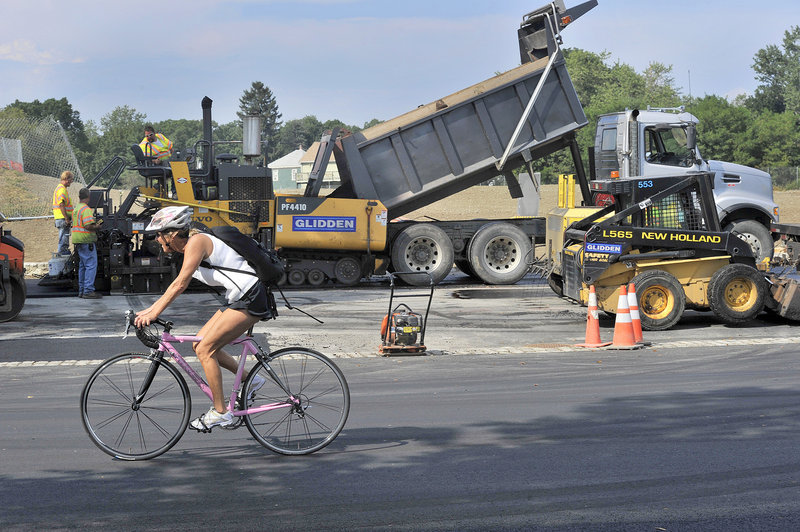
column 136, row 406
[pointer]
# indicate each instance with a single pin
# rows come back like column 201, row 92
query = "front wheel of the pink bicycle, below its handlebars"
column 135, row 407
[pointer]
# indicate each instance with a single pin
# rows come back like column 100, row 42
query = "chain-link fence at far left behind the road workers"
column 33, row 153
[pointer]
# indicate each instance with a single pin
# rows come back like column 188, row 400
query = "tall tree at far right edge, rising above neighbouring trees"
column 778, row 71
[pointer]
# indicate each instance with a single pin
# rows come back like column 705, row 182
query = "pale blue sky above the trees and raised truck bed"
column 348, row 59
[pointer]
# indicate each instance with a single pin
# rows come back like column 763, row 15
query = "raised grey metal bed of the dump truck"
column 457, row 141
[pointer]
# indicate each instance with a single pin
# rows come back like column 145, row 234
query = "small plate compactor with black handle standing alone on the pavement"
column 403, row 330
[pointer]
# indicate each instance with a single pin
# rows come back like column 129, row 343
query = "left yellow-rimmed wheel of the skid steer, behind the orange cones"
column 661, row 299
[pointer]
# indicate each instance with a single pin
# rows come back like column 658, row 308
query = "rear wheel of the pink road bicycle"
column 318, row 401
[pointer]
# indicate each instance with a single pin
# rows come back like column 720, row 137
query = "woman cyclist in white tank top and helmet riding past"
column 247, row 300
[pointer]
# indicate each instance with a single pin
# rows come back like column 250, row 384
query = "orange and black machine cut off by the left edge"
column 13, row 291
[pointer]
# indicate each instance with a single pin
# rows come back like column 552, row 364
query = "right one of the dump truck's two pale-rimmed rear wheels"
column 498, row 253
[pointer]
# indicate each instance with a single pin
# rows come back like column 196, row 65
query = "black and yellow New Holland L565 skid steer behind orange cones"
column 663, row 235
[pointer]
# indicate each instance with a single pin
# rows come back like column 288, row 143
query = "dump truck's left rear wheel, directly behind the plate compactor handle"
column 422, row 248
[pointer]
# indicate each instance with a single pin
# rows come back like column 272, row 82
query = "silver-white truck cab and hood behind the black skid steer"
column 661, row 142
